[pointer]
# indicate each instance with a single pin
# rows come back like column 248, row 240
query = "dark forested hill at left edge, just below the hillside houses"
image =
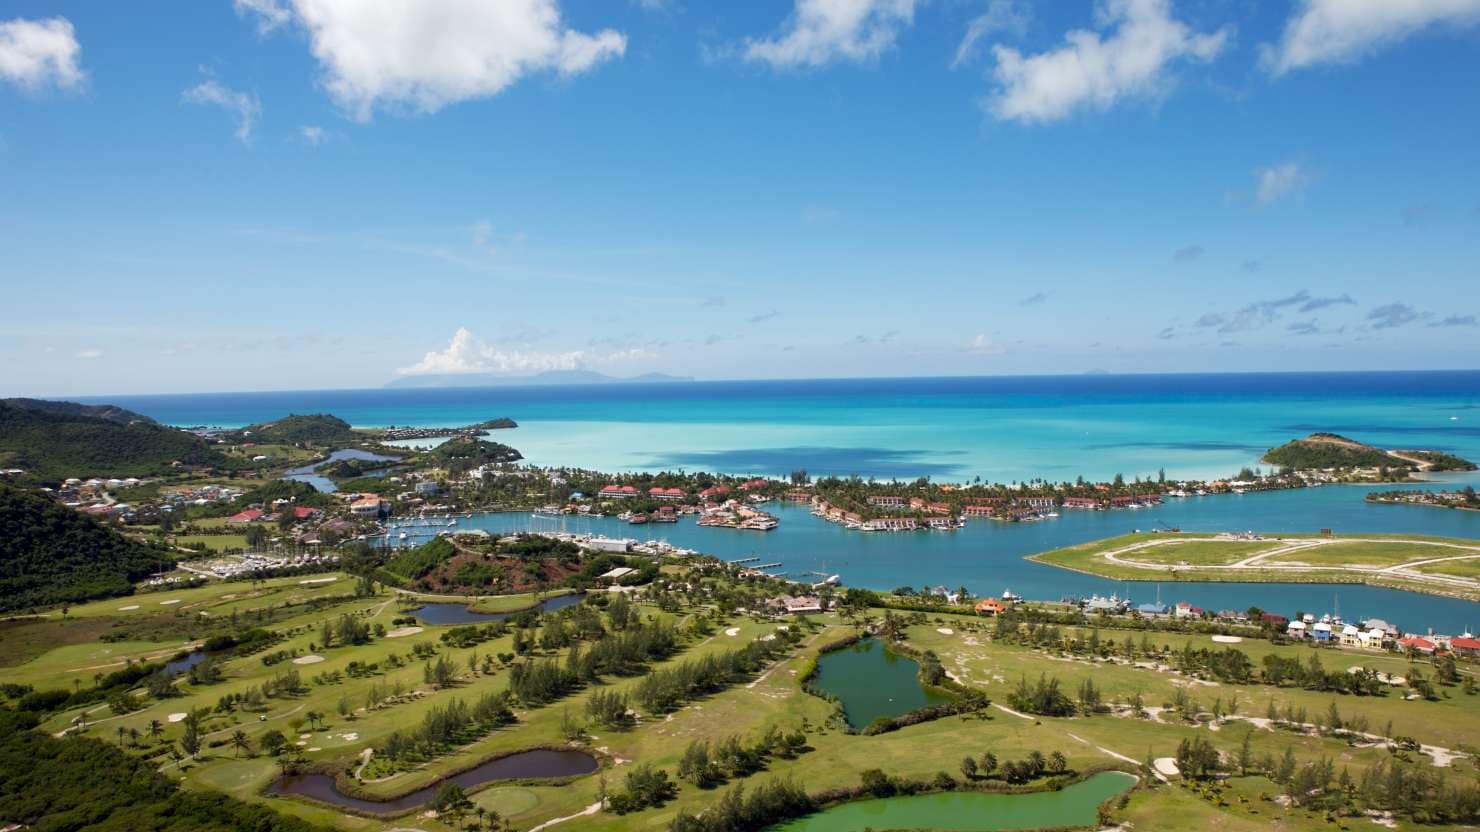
column 55, row 556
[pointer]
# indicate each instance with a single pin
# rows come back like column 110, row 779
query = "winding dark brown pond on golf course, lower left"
column 541, row 763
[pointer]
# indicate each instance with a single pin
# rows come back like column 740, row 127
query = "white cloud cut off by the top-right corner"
column 1328, row 32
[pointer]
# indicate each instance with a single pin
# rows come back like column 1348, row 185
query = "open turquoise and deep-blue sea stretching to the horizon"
column 997, row 429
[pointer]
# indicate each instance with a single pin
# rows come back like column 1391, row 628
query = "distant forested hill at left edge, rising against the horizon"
column 51, row 446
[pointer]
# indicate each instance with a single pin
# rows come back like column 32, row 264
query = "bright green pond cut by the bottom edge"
column 972, row 812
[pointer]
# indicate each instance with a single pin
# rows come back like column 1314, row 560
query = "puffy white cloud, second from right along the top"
column 1097, row 72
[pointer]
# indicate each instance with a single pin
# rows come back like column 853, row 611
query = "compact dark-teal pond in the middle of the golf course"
column 872, row 682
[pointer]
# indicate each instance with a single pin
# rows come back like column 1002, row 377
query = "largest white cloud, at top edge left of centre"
column 427, row 56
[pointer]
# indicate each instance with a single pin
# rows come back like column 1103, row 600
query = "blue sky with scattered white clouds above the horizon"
column 267, row 195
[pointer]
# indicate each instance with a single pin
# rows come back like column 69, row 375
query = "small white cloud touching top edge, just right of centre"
column 822, row 32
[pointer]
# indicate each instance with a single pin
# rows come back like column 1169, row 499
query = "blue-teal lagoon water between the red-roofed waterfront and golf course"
column 986, row 557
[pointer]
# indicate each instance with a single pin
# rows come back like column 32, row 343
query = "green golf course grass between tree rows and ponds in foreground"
column 773, row 698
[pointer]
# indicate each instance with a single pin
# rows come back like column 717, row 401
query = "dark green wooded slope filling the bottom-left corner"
column 88, row 785
